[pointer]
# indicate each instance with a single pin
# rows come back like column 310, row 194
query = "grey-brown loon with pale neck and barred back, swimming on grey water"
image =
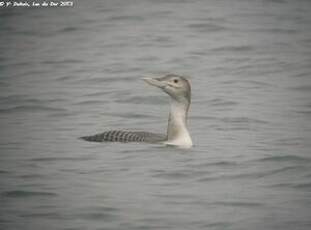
column 179, row 90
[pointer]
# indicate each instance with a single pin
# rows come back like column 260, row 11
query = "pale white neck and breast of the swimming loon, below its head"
column 177, row 132
